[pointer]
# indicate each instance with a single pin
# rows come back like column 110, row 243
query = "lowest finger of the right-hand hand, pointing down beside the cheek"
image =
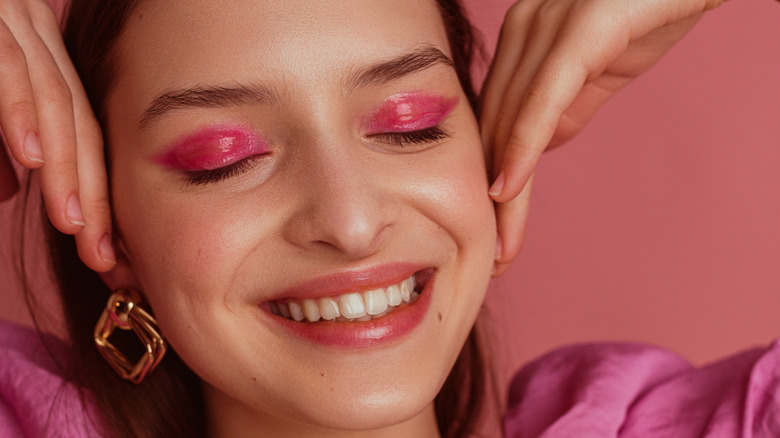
column 512, row 218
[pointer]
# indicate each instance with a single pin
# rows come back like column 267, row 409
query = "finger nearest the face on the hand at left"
column 94, row 242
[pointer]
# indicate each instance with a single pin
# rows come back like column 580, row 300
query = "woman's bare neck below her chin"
column 229, row 418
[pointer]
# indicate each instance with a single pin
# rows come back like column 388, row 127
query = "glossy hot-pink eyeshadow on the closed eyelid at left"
column 211, row 148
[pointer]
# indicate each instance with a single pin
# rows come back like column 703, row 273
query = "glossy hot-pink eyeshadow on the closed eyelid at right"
column 409, row 112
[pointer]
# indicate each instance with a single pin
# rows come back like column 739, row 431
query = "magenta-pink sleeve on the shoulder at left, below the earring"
column 35, row 398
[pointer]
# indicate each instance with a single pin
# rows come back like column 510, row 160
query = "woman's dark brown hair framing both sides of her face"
column 169, row 402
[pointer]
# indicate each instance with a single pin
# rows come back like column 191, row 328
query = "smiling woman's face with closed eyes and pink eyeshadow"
column 267, row 156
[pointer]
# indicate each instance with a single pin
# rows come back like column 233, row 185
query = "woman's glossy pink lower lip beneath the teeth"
column 363, row 334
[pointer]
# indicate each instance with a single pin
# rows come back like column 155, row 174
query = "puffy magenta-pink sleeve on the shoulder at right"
column 633, row 390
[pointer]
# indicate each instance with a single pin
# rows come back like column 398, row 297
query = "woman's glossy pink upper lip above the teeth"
column 353, row 280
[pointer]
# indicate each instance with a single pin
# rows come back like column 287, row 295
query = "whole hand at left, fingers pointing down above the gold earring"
column 48, row 124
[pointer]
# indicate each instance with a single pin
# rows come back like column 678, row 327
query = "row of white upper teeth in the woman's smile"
column 350, row 306
